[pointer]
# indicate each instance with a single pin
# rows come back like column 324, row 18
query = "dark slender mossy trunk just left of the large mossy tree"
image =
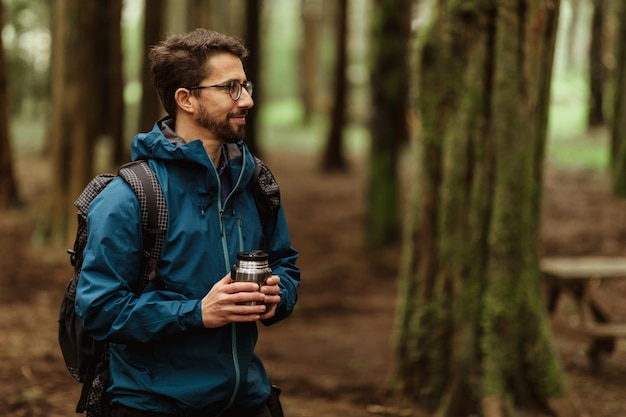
column 388, row 124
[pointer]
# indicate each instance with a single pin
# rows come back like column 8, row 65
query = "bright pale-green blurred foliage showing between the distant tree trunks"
column 27, row 41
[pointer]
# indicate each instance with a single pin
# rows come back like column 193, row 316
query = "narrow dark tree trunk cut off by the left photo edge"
column 8, row 188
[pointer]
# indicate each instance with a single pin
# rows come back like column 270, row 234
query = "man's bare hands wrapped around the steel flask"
column 224, row 302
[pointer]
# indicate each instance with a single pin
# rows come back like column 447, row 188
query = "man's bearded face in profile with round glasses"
column 223, row 117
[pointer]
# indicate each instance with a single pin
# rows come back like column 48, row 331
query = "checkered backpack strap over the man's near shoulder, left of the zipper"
column 154, row 219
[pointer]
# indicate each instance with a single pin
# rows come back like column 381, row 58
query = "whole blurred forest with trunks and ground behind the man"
column 430, row 153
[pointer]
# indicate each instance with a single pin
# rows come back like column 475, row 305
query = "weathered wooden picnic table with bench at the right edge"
column 575, row 276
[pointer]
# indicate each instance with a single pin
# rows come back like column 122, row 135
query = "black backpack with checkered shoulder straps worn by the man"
column 86, row 359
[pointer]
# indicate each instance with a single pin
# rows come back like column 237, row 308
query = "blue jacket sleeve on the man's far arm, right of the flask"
column 282, row 257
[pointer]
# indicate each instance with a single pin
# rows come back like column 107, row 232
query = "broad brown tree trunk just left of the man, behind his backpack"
column 76, row 106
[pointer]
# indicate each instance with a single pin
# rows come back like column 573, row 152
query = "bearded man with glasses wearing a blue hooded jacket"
column 188, row 350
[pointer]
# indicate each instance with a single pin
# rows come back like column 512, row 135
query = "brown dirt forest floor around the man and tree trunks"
column 332, row 356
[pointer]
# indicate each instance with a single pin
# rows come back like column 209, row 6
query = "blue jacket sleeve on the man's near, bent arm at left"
column 112, row 263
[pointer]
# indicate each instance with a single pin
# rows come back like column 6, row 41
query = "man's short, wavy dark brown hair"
column 180, row 61
